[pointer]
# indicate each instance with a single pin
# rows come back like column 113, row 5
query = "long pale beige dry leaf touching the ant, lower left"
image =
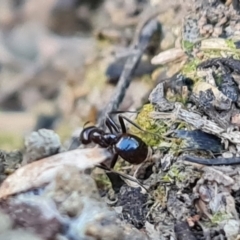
column 39, row 173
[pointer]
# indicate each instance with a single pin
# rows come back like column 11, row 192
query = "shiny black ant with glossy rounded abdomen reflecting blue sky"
column 121, row 143
